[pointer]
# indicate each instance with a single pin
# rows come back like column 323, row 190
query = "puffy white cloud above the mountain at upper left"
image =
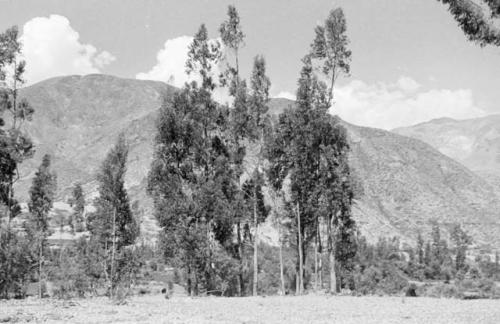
column 52, row 47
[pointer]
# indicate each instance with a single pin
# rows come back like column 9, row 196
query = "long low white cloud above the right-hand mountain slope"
column 391, row 105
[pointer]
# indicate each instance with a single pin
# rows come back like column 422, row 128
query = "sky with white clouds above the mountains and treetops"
column 410, row 62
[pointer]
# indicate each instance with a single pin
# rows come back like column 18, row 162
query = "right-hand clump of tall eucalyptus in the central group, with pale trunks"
column 309, row 149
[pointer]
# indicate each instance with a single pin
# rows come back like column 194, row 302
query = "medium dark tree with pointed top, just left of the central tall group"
column 113, row 225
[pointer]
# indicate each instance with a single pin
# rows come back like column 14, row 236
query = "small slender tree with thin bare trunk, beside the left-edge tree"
column 42, row 194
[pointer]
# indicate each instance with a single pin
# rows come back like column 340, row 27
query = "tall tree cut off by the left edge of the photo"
column 15, row 145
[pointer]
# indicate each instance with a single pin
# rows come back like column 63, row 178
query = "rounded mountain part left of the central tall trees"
column 78, row 119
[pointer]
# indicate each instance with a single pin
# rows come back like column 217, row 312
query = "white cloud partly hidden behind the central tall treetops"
column 170, row 67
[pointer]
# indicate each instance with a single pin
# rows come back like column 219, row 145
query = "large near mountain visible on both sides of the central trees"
column 403, row 184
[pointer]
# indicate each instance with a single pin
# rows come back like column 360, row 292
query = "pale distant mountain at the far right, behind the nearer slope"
column 473, row 142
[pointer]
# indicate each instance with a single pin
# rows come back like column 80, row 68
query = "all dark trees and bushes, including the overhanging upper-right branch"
column 219, row 172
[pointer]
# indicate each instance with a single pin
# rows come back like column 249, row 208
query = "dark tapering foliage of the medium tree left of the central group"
column 112, row 226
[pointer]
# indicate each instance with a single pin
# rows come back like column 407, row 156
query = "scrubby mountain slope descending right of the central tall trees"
column 407, row 183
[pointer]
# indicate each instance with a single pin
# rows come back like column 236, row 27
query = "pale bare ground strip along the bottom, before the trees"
column 305, row 309
